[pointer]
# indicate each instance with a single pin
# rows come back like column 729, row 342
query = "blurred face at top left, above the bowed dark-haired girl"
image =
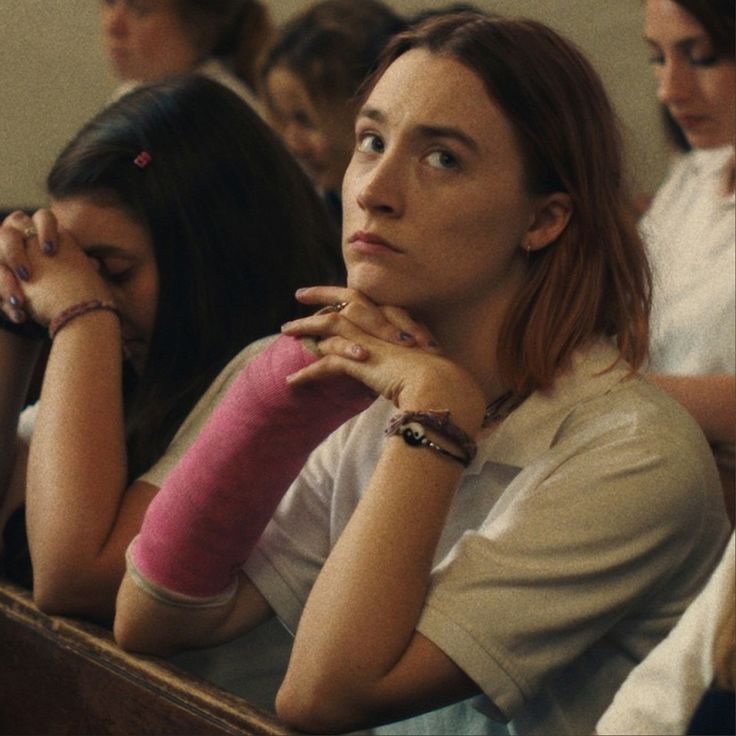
column 146, row 39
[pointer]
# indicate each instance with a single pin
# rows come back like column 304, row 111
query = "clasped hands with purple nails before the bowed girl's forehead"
column 43, row 270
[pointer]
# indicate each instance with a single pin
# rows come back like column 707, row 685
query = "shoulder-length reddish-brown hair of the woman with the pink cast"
column 593, row 281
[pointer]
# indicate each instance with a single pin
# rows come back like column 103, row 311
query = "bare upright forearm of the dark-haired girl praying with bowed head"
column 77, row 470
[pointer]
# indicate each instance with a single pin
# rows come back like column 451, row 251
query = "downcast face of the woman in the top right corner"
column 698, row 88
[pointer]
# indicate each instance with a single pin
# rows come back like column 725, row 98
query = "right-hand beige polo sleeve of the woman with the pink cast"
column 589, row 532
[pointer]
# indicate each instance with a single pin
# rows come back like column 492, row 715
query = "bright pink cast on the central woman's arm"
column 202, row 525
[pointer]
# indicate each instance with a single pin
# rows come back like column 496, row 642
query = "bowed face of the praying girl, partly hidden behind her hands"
column 123, row 252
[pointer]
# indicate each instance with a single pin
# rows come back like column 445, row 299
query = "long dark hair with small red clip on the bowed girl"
column 236, row 228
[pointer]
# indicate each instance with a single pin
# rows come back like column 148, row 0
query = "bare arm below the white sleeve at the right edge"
column 711, row 399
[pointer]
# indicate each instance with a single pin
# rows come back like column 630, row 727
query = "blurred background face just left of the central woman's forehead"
column 320, row 139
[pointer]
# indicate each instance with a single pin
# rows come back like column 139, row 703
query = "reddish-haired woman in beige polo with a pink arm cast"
column 519, row 514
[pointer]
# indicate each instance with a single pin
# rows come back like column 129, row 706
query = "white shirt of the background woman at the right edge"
column 690, row 231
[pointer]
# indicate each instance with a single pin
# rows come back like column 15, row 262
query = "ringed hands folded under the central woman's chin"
column 384, row 348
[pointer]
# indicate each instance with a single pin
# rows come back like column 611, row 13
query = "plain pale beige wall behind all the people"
column 53, row 77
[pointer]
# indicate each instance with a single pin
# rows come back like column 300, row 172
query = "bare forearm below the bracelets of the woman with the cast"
column 360, row 618
